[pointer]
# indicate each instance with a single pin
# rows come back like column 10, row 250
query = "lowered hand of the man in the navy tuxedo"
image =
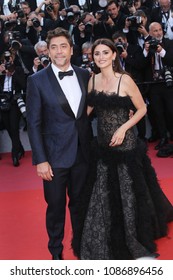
column 44, row 171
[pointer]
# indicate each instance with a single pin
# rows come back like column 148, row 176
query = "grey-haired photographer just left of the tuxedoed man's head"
column 42, row 59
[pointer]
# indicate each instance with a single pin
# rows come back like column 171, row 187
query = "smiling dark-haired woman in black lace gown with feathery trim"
column 123, row 209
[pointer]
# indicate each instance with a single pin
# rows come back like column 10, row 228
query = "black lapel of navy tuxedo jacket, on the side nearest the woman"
column 83, row 89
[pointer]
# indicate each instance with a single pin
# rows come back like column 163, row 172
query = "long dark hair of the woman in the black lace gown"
column 107, row 42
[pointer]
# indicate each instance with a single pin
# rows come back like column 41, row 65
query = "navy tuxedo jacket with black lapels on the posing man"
column 54, row 132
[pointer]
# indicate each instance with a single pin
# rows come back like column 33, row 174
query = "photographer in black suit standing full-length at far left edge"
column 12, row 83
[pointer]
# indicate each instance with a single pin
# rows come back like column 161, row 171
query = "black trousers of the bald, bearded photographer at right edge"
column 161, row 104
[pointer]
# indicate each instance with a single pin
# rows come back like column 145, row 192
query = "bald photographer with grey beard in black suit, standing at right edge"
column 158, row 52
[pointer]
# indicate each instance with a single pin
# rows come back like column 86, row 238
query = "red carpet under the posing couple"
column 22, row 211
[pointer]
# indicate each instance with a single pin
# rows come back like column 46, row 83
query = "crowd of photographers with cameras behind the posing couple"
column 141, row 29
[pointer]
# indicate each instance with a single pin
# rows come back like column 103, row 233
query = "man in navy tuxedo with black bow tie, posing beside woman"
column 59, row 132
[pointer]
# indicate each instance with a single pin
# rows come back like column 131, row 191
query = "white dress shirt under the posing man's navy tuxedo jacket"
column 70, row 87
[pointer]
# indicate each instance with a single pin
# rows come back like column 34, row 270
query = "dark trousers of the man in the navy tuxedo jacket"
column 65, row 181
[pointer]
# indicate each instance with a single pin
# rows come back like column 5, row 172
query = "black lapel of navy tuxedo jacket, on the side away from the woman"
column 60, row 95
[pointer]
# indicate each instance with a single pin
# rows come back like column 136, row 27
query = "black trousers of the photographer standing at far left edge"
column 10, row 120
